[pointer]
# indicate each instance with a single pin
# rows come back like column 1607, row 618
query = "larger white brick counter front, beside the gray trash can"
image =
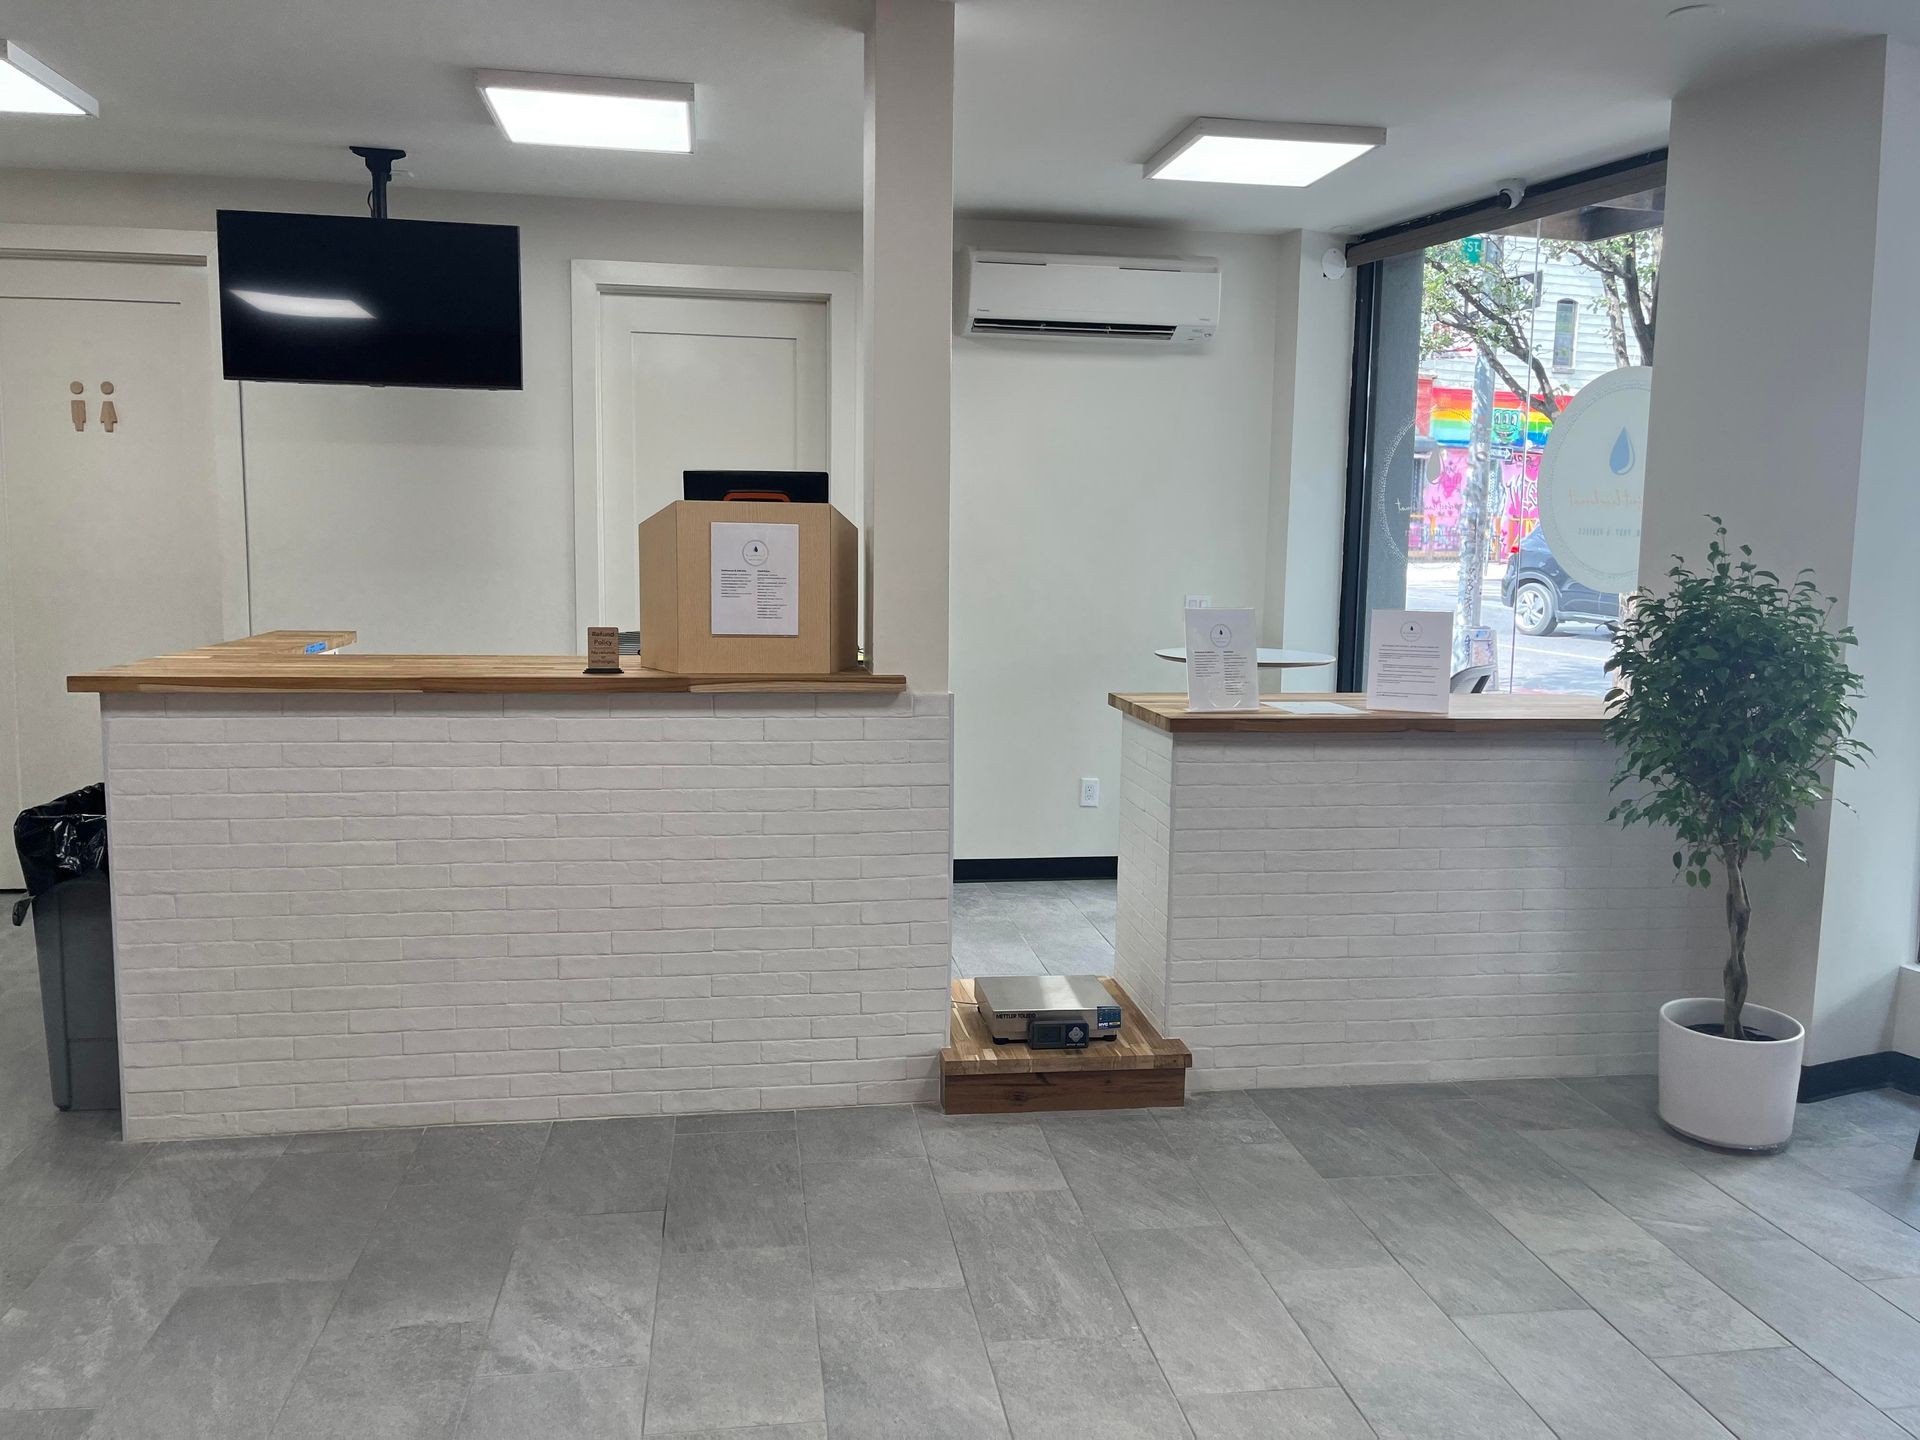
column 341, row 911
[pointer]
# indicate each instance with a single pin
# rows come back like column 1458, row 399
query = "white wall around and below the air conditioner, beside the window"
column 1093, row 491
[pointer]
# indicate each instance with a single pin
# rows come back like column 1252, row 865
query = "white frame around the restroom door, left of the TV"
column 105, row 245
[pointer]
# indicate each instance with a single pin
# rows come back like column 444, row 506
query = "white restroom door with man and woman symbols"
column 108, row 539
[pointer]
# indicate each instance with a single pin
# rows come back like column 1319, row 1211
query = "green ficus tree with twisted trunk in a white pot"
column 1735, row 704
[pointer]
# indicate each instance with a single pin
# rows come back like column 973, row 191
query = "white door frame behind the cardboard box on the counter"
column 594, row 279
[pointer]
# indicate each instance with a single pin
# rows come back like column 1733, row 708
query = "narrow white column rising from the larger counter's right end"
column 909, row 335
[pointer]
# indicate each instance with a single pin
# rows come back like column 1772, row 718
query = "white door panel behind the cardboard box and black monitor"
column 700, row 383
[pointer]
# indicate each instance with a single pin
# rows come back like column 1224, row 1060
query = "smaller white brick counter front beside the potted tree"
column 1414, row 907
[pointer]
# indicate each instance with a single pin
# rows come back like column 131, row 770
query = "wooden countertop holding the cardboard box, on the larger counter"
column 293, row 661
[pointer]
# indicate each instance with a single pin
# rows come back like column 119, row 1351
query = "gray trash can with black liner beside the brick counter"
column 64, row 859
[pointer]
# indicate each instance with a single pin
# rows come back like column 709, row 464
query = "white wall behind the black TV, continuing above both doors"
column 433, row 519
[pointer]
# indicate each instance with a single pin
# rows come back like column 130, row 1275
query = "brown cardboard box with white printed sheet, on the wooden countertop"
column 677, row 592
